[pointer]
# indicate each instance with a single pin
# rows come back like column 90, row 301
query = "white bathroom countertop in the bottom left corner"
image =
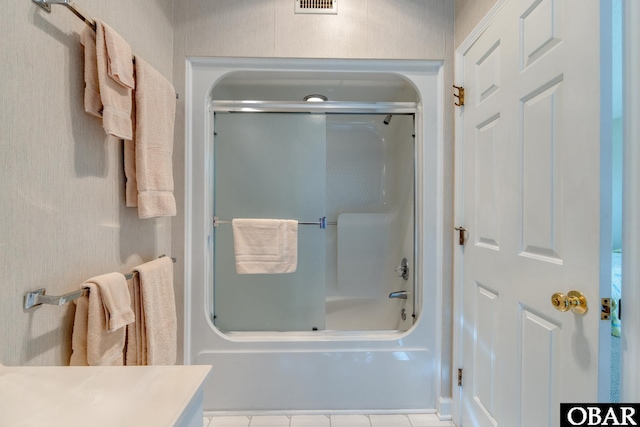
column 97, row 396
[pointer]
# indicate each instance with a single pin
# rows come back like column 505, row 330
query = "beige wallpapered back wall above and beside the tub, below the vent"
column 380, row 29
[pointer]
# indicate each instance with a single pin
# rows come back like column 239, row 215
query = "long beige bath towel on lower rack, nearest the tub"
column 155, row 333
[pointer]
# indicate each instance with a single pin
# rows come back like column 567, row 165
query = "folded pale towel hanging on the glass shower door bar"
column 265, row 246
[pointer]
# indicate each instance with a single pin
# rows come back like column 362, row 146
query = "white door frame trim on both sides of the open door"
column 630, row 383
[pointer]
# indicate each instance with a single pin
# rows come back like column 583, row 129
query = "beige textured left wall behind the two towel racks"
column 61, row 181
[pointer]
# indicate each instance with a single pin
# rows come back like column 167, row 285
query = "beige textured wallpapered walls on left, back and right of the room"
column 61, row 186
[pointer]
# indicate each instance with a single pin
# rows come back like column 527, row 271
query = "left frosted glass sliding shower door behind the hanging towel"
column 270, row 165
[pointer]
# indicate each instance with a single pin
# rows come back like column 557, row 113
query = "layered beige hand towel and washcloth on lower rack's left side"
column 105, row 307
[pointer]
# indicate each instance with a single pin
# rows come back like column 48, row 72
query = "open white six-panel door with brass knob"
column 531, row 203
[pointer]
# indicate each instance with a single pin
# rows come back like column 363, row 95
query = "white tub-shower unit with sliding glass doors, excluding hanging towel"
column 336, row 335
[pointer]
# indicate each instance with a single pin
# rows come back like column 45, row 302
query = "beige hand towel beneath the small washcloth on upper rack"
column 116, row 99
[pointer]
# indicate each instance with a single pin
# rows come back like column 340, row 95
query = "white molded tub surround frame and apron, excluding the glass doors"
column 351, row 371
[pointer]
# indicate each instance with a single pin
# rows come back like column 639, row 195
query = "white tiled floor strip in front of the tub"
column 396, row 420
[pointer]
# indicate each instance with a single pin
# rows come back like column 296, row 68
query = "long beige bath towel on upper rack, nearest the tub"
column 155, row 117
